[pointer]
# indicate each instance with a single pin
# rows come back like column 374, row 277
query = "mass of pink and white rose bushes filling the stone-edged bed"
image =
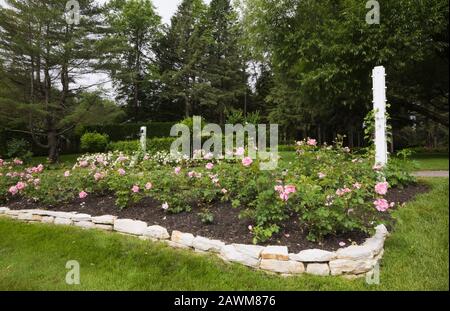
column 329, row 189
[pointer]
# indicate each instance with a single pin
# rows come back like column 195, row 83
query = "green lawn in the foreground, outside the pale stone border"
column 33, row 257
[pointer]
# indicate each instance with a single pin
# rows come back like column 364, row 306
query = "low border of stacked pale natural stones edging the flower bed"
column 355, row 260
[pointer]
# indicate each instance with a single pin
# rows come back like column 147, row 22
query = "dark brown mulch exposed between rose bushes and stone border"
column 226, row 226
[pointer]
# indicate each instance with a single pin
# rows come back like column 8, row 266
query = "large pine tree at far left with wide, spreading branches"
column 43, row 56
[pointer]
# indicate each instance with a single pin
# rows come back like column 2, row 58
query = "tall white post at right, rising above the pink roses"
column 379, row 105
